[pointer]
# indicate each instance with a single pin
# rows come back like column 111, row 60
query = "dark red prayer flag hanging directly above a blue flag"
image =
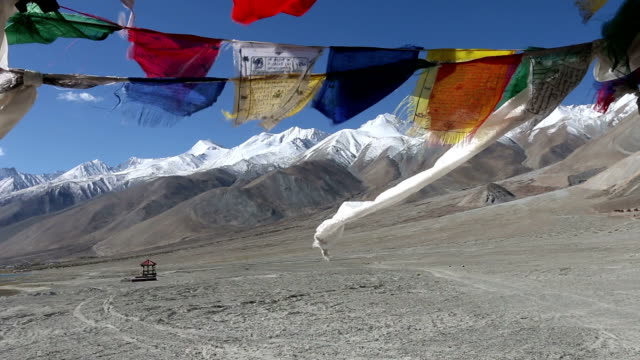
column 172, row 55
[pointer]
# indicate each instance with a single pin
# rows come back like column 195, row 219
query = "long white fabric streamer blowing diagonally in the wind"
column 510, row 115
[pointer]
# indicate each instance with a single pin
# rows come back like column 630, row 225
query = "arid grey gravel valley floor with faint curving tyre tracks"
column 553, row 276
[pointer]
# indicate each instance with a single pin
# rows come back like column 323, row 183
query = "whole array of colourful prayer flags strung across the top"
column 456, row 92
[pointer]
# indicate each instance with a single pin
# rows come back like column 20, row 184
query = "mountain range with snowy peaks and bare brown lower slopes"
column 97, row 210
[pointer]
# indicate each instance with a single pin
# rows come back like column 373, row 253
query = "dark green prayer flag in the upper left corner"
column 35, row 26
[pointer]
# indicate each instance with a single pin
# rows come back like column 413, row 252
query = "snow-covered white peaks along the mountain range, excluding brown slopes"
column 266, row 151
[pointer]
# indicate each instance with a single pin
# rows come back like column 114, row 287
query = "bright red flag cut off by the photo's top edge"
column 248, row 11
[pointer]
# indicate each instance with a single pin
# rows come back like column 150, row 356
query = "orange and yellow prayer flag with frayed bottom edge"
column 454, row 99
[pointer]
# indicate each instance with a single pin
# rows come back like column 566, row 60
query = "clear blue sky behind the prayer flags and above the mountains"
column 58, row 134
